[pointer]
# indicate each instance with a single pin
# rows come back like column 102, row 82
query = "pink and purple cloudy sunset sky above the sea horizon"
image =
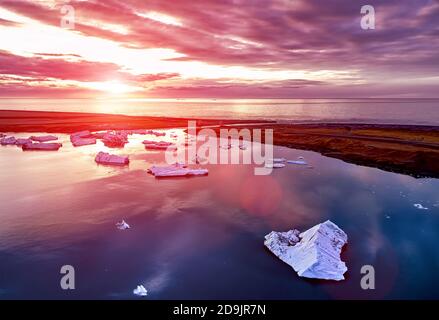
column 218, row 49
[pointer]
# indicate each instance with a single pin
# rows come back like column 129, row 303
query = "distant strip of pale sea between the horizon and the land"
column 395, row 111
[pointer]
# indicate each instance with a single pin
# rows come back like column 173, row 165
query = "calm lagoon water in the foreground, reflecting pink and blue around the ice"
column 203, row 237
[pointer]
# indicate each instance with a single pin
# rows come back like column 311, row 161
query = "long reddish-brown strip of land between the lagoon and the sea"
column 406, row 149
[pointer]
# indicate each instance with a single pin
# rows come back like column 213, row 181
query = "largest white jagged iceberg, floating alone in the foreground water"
column 314, row 253
